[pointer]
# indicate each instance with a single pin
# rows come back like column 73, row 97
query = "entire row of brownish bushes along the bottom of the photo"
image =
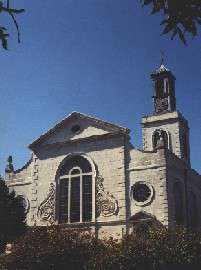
column 59, row 248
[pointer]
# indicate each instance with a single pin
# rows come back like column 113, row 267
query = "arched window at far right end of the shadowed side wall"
column 192, row 210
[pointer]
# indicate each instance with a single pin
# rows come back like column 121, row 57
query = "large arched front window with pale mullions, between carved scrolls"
column 75, row 190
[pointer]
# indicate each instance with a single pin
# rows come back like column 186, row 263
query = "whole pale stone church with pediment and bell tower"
column 85, row 173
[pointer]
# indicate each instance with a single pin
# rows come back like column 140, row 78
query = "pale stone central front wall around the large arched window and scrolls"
column 108, row 155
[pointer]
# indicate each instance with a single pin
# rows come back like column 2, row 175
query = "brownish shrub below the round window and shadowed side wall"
column 156, row 249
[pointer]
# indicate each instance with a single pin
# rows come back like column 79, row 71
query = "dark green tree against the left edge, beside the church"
column 12, row 216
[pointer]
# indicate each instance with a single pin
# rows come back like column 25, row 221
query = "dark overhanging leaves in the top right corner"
column 180, row 16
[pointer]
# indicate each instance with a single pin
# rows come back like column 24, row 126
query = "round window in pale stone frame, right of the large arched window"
column 142, row 193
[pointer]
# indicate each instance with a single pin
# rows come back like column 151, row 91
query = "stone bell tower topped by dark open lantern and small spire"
column 166, row 121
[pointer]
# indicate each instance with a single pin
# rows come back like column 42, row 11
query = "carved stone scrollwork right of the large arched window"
column 106, row 203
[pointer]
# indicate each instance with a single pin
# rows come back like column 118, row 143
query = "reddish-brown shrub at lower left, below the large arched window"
column 53, row 247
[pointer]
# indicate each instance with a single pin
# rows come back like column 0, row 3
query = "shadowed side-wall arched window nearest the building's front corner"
column 178, row 202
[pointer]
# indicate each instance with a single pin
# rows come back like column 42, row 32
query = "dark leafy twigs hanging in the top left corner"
column 6, row 8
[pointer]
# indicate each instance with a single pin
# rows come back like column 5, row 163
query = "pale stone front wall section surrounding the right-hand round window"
column 150, row 168
